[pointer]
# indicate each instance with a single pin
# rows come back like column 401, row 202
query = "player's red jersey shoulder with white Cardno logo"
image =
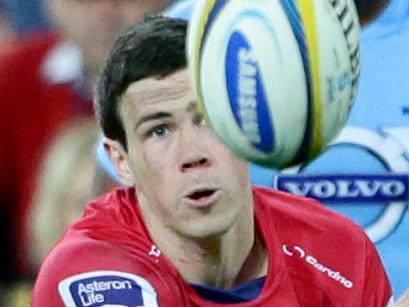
column 325, row 253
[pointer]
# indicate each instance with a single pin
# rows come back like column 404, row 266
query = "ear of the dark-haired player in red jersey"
column 119, row 156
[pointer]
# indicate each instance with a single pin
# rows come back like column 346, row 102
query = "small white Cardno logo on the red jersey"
column 298, row 252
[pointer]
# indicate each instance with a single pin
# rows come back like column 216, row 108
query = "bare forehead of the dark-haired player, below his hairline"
column 150, row 93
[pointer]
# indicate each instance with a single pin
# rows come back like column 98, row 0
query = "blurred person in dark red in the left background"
column 45, row 82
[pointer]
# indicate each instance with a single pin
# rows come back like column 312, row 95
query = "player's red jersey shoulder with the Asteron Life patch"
column 101, row 261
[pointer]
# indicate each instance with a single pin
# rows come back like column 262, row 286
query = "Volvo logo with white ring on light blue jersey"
column 391, row 147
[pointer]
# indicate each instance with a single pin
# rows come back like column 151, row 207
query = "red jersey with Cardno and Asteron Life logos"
column 316, row 258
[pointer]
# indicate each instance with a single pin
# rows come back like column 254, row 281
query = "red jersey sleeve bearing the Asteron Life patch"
column 102, row 275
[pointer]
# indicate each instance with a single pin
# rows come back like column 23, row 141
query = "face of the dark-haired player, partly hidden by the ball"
column 184, row 176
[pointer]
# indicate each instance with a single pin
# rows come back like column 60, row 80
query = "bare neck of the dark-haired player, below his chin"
column 223, row 260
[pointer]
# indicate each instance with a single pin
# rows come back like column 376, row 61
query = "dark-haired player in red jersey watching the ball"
column 190, row 230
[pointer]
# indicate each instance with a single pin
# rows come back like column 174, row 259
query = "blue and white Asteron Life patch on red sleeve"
column 107, row 288
